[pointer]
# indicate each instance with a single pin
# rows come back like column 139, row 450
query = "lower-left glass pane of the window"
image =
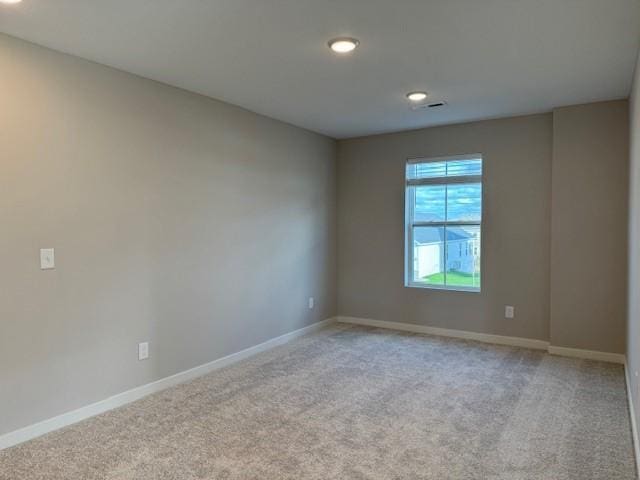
column 428, row 255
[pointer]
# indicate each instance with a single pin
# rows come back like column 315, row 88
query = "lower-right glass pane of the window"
column 463, row 257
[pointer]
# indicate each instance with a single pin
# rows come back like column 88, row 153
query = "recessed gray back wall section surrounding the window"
column 515, row 257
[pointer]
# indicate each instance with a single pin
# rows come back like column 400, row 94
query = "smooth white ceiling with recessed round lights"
column 486, row 58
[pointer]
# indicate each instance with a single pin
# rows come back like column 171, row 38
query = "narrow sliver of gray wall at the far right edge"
column 633, row 318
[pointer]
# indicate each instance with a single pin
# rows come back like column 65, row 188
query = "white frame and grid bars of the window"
column 410, row 224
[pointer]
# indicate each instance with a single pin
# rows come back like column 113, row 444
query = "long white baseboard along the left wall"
column 32, row 431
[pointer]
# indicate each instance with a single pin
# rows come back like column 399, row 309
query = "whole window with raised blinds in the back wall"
column 444, row 222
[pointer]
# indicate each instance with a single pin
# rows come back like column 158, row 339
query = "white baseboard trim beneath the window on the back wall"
column 445, row 332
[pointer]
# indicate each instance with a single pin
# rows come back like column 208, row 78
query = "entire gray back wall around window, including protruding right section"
column 572, row 295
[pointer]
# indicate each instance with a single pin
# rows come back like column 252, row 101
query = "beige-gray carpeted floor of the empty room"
column 357, row 403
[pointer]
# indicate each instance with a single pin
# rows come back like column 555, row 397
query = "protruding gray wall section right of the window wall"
column 589, row 226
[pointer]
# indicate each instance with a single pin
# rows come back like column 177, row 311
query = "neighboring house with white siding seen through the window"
column 431, row 257
